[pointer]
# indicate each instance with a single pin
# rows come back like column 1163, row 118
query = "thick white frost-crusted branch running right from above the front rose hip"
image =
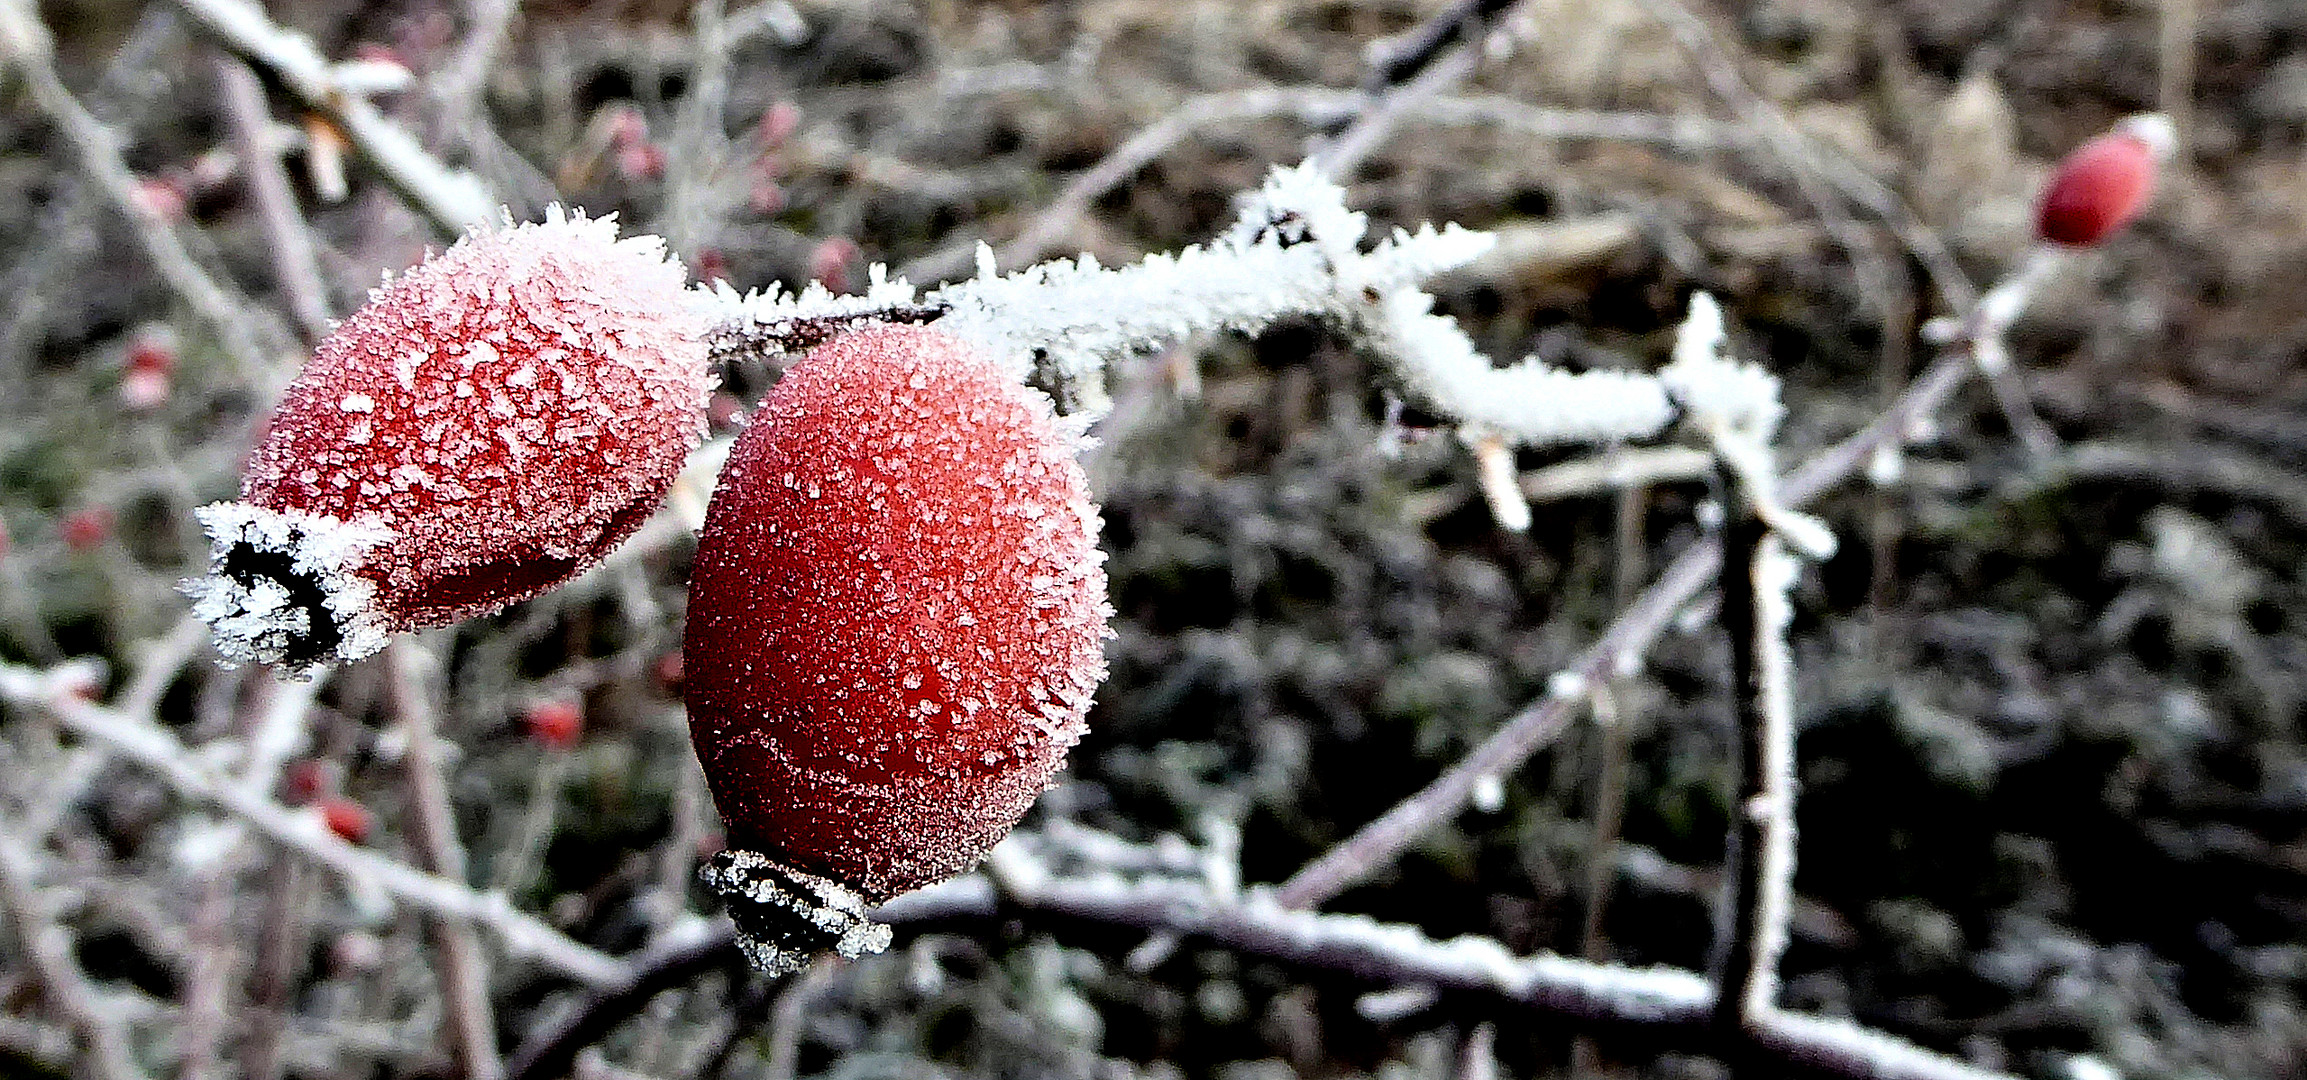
column 1293, row 250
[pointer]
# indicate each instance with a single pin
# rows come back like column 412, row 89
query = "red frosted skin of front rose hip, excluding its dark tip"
column 896, row 613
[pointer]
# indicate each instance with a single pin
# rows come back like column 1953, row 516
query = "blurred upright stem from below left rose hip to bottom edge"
column 433, row 834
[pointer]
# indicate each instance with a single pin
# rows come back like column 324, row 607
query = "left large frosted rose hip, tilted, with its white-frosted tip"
column 483, row 430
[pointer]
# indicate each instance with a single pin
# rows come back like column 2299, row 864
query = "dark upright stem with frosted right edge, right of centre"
column 1761, row 846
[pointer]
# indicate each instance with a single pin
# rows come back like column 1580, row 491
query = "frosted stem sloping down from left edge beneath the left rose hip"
column 160, row 753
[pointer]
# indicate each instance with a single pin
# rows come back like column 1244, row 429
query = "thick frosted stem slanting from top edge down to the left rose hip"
column 451, row 197
